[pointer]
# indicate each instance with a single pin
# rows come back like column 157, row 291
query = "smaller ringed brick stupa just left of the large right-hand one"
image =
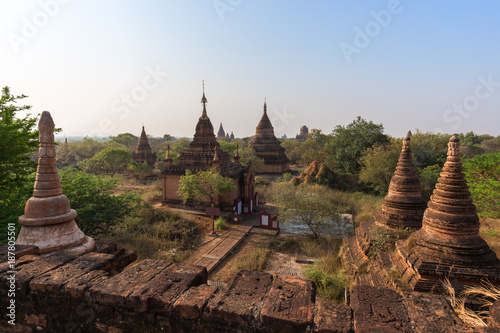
column 404, row 205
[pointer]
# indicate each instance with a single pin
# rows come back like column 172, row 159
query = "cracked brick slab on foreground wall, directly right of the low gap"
column 378, row 310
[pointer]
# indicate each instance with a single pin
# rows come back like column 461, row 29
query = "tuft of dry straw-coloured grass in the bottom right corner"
column 486, row 293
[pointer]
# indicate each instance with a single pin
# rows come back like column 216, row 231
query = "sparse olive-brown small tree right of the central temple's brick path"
column 306, row 205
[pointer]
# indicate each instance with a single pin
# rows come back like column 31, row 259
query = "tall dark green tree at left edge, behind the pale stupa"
column 18, row 141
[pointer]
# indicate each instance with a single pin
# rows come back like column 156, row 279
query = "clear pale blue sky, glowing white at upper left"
column 108, row 67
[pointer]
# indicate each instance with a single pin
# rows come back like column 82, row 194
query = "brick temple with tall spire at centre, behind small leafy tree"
column 204, row 153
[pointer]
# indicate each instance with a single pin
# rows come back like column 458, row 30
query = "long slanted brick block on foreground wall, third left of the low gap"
column 159, row 294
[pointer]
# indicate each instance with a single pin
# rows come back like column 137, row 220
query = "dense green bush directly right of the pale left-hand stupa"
column 92, row 198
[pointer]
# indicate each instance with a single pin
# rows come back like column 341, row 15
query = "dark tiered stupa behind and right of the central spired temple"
column 268, row 148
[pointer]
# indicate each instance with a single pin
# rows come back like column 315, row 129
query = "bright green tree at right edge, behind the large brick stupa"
column 483, row 177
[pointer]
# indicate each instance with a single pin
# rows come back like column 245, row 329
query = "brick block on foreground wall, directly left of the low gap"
column 290, row 304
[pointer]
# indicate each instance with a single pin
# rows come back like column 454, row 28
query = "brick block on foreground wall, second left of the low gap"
column 239, row 302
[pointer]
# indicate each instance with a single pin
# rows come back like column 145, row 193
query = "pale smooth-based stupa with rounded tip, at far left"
column 48, row 220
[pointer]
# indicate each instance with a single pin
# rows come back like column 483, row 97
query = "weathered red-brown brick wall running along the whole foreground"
column 92, row 293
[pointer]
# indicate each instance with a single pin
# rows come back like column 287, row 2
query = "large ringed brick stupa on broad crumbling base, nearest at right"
column 448, row 245
